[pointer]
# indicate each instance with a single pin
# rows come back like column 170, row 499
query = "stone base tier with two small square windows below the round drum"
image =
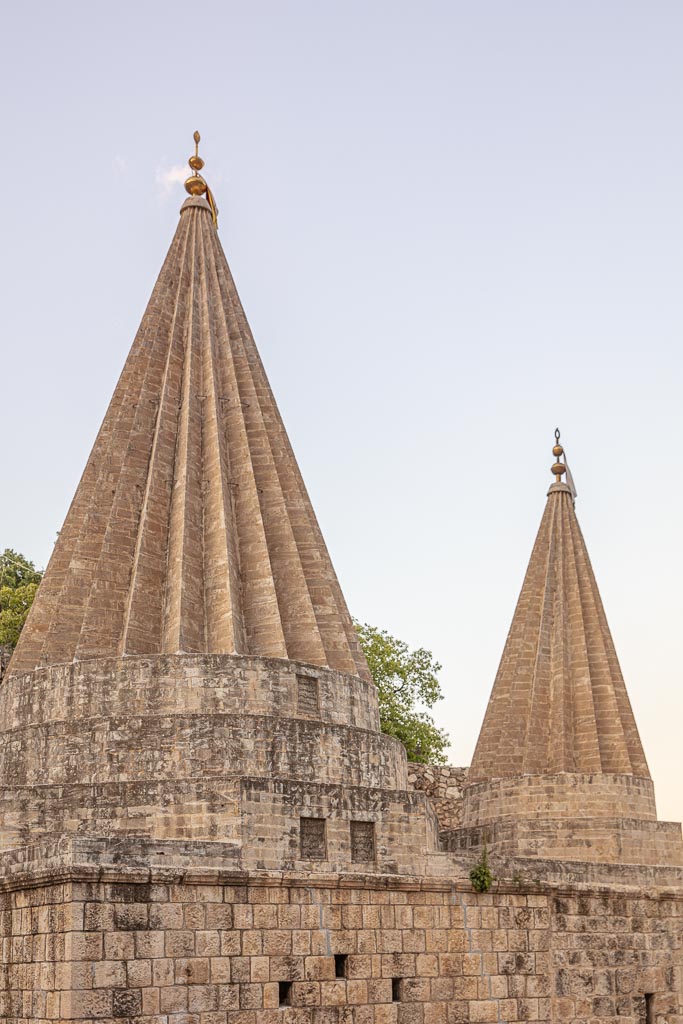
column 257, row 821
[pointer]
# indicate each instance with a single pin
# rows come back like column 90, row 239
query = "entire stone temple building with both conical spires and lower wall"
column 200, row 820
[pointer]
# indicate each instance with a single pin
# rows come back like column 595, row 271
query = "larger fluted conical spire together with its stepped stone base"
column 189, row 690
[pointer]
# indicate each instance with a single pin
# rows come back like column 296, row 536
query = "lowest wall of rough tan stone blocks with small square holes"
column 210, row 948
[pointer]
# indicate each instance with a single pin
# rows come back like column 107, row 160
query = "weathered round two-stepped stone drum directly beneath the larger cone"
column 170, row 718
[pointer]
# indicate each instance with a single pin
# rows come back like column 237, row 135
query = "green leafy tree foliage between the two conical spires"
column 407, row 684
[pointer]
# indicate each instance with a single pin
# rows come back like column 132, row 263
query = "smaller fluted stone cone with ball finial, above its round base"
column 560, row 703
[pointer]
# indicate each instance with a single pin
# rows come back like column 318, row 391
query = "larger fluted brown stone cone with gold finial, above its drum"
column 192, row 531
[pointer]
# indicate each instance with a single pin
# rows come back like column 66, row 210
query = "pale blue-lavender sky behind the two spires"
column 454, row 227
